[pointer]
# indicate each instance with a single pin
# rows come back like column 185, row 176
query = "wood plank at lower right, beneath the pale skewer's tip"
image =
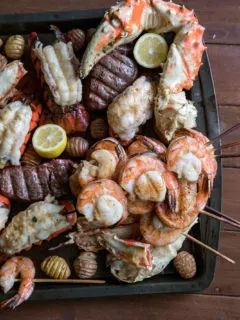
column 226, row 280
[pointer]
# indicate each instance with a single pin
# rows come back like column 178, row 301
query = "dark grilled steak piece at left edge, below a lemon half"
column 28, row 184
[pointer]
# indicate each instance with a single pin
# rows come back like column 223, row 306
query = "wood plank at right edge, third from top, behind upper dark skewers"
column 230, row 115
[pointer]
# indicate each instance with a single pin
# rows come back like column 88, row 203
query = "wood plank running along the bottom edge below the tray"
column 172, row 307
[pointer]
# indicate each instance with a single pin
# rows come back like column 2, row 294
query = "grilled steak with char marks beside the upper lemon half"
column 110, row 76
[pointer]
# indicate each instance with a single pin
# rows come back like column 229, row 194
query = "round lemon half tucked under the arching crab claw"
column 151, row 50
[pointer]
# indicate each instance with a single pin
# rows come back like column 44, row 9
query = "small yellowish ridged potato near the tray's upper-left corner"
column 14, row 47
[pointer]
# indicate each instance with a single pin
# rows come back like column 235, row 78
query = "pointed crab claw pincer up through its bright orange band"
column 121, row 24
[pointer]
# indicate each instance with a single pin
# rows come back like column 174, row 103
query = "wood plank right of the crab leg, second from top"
column 226, row 73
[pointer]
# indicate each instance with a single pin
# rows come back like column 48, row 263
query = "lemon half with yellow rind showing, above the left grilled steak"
column 49, row 141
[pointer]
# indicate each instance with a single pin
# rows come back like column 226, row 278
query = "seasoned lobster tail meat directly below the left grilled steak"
column 40, row 221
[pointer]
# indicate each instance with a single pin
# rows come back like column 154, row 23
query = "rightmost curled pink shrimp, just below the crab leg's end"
column 189, row 155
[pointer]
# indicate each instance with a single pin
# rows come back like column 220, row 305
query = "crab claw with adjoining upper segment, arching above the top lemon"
column 125, row 21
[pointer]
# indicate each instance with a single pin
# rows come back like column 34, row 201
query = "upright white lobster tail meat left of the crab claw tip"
column 57, row 69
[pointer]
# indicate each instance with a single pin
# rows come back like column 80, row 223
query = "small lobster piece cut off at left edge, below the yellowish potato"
column 9, row 78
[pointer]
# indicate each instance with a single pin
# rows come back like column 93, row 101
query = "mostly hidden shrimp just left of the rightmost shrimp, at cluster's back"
column 145, row 144
